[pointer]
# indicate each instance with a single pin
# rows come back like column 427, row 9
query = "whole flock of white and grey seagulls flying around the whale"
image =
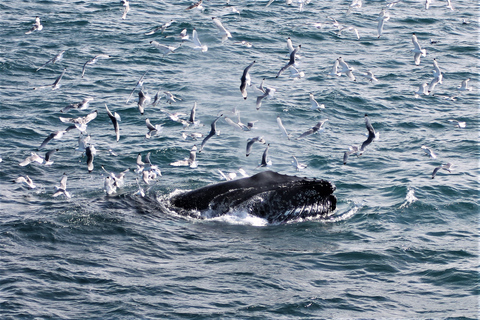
column 148, row 172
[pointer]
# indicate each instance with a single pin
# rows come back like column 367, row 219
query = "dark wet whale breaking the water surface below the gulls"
column 276, row 197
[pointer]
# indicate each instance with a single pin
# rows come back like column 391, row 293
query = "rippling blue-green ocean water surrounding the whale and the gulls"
column 400, row 244
